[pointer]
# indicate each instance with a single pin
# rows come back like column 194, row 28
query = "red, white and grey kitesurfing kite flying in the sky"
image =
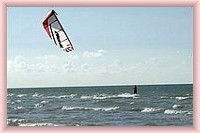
column 56, row 32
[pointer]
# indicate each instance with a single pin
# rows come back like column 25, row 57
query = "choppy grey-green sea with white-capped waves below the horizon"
column 154, row 105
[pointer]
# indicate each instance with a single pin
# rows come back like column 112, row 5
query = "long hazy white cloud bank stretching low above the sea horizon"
column 91, row 67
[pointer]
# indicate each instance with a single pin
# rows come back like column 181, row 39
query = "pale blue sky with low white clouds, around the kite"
column 113, row 46
